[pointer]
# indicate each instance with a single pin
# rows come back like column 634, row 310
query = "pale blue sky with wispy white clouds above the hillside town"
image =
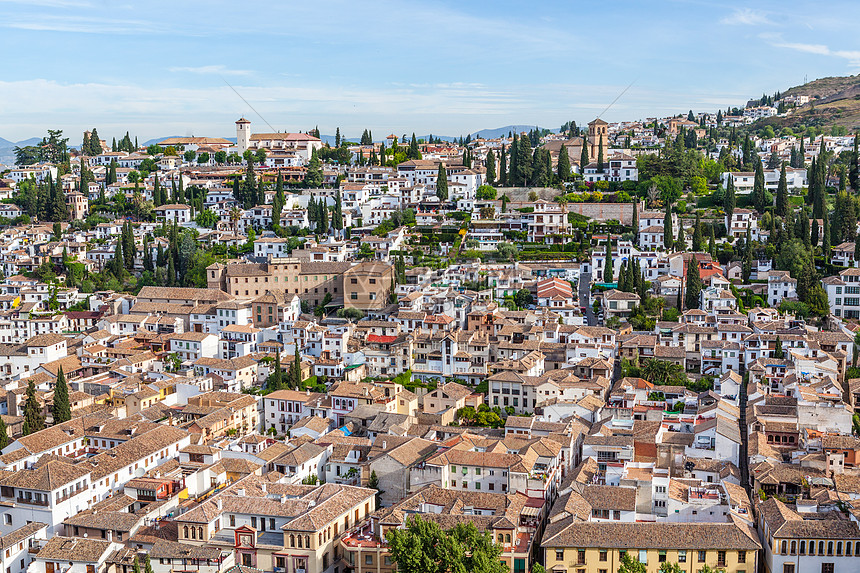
column 158, row 68
